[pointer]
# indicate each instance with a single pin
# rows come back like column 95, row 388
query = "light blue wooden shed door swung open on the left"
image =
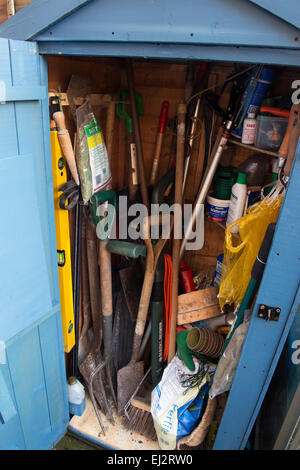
column 33, row 393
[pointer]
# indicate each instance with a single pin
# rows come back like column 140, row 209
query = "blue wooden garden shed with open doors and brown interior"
column 41, row 47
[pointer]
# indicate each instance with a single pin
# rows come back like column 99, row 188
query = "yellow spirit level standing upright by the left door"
column 59, row 172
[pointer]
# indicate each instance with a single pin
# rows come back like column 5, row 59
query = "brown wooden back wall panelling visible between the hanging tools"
column 157, row 81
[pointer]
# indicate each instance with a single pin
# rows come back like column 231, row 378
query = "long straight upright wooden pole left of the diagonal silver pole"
column 181, row 112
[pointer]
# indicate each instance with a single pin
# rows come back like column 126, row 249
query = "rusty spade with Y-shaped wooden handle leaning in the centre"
column 131, row 375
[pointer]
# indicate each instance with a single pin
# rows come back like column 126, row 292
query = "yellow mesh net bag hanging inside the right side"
column 241, row 248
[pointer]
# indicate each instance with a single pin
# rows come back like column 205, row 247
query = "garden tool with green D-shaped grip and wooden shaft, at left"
column 103, row 229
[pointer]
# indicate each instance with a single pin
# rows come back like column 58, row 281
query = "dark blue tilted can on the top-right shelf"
column 254, row 94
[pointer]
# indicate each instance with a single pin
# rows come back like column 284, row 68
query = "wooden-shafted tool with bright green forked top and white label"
column 122, row 113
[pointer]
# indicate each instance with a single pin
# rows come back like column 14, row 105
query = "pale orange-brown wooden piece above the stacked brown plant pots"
column 198, row 305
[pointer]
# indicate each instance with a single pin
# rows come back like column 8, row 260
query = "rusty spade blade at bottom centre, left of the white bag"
column 129, row 378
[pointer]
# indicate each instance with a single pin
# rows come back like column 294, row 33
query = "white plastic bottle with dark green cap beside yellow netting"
column 237, row 200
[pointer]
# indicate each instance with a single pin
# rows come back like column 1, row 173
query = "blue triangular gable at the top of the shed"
column 258, row 23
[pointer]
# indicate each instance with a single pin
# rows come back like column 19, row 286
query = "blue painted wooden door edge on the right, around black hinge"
column 265, row 340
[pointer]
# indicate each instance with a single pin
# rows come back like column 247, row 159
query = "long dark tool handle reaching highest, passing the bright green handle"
column 137, row 132
